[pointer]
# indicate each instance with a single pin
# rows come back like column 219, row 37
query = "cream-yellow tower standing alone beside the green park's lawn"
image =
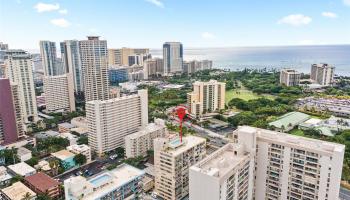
column 206, row 97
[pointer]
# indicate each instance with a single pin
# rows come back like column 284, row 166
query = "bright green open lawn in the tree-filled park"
column 244, row 94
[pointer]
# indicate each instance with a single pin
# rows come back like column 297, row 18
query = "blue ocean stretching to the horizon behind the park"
column 295, row 57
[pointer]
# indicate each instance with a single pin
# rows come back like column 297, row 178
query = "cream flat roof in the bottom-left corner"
column 17, row 191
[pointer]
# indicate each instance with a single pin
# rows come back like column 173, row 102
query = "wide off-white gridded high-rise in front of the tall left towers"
column 59, row 93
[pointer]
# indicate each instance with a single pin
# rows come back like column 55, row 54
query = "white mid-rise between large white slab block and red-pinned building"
column 137, row 144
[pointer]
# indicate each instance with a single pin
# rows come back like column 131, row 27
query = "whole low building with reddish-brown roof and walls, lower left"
column 41, row 183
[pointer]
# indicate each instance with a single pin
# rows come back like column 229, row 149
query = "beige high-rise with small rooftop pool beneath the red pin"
column 172, row 160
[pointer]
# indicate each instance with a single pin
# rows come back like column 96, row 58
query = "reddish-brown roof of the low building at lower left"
column 42, row 181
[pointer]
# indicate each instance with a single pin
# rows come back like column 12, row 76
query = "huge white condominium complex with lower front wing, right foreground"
column 286, row 167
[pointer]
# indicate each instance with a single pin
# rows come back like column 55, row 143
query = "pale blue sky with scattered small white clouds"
column 195, row 23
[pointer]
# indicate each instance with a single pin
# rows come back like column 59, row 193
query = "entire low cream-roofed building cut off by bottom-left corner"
column 17, row 191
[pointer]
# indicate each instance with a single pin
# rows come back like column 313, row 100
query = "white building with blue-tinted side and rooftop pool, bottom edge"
column 123, row 182
